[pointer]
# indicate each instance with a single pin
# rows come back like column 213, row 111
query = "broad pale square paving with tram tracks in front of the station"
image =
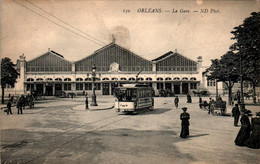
column 62, row 131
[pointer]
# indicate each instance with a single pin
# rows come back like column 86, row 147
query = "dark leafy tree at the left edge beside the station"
column 8, row 74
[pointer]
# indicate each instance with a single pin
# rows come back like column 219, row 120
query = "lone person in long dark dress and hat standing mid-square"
column 184, row 123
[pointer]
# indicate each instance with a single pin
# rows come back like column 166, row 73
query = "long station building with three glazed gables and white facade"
column 50, row 73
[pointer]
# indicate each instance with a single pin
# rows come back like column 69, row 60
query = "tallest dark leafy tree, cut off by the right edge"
column 247, row 46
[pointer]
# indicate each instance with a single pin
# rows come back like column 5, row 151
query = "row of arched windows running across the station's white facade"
column 113, row 79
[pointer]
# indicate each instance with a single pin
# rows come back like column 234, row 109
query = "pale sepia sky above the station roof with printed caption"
column 76, row 28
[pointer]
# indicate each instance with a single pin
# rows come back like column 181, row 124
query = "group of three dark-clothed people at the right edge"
column 249, row 133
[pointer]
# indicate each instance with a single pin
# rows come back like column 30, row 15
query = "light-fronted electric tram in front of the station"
column 133, row 97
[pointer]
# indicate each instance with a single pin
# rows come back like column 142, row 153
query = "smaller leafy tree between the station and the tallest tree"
column 225, row 70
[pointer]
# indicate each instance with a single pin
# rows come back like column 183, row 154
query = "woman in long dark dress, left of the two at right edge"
column 244, row 132
